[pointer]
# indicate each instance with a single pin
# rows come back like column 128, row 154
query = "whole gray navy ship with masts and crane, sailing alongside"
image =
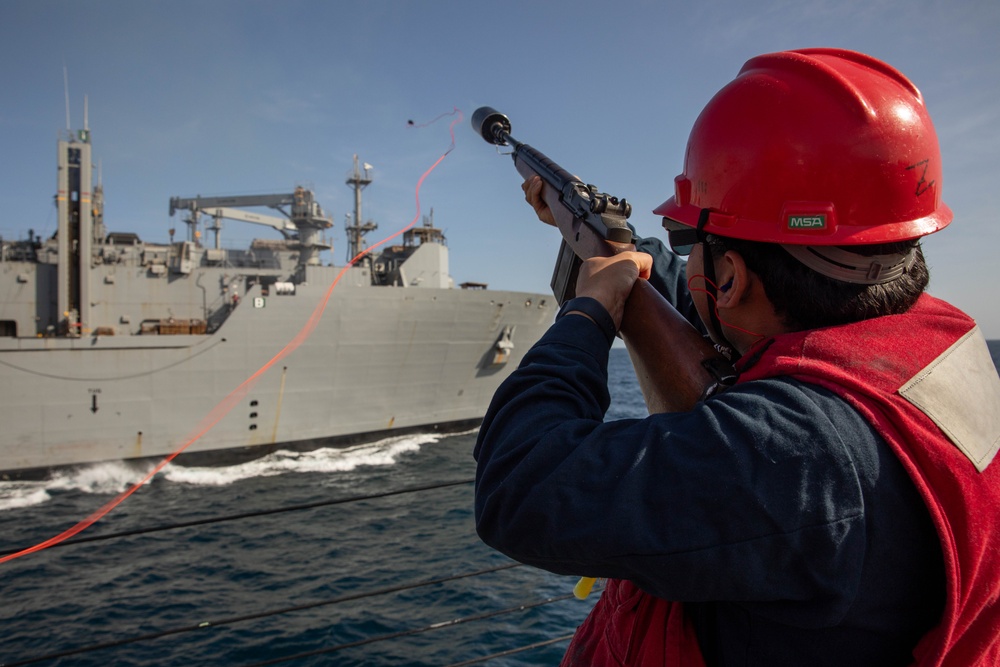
column 115, row 348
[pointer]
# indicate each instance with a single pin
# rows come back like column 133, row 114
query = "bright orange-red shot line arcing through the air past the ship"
column 239, row 393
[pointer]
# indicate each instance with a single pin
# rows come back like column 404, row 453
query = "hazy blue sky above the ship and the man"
column 225, row 97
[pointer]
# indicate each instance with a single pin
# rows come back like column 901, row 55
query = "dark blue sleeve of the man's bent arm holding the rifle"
column 750, row 496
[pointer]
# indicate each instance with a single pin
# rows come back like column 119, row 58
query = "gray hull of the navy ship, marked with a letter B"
column 380, row 360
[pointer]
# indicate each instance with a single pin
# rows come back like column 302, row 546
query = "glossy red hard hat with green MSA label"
column 813, row 147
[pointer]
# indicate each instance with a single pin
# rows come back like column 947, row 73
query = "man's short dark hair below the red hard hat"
column 805, row 299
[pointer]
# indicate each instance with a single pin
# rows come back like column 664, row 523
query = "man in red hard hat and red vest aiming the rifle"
column 838, row 505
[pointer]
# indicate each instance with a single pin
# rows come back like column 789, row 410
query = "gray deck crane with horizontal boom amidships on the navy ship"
column 303, row 221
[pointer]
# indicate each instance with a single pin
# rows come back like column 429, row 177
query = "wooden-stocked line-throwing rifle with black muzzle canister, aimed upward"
column 676, row 366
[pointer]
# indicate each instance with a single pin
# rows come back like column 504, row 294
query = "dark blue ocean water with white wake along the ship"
column 373, row 560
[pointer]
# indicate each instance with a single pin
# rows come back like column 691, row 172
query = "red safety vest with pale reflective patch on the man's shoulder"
column 885, row 368
